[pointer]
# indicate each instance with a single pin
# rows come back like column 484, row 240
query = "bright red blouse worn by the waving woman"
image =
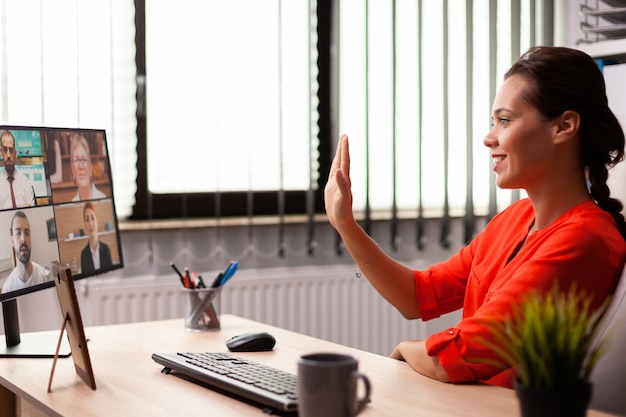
column 486, row 277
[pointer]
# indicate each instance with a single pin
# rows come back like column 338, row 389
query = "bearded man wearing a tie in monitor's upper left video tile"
column 16, row 190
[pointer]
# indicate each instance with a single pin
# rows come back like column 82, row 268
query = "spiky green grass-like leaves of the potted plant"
column 549, row 339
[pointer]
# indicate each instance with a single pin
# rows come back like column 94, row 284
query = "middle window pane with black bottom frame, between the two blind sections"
column 231, row 122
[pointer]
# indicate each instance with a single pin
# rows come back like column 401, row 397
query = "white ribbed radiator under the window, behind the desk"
column 327, row 302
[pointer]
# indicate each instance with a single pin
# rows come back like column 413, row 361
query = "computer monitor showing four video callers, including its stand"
column 56, row 205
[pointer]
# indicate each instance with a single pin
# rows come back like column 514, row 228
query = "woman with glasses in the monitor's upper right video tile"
column 82, row 174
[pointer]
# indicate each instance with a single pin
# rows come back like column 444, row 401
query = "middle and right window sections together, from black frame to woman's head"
column 415, row 81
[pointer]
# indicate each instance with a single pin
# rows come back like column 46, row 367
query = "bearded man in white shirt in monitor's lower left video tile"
column 26, row 273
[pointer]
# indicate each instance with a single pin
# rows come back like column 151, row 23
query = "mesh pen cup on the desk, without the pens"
column 202, row 309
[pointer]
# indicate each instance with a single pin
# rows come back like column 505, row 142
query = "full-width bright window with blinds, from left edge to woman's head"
column 410, row 81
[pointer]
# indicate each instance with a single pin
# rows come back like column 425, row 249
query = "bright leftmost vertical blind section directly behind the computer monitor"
column 71, row 63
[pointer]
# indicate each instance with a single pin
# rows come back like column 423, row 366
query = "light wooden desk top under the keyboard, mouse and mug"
column 129, row 382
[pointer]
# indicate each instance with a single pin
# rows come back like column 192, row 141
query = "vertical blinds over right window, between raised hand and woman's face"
column 416, row 82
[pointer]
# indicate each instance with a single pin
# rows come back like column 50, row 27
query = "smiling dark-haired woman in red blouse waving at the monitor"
column 553, row 134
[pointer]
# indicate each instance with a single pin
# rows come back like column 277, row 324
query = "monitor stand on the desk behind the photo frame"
column 28, row 345
